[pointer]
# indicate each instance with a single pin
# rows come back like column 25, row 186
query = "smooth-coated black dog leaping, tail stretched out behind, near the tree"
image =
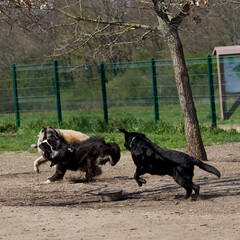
column 150, row 158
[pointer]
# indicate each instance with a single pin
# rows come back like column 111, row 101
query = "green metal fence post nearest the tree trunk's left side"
column 155, row 93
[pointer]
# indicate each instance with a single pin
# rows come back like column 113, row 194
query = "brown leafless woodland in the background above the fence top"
column 24, row 41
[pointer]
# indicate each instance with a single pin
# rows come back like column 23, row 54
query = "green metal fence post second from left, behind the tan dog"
column 57, row 92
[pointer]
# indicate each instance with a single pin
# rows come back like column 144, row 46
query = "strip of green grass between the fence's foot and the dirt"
column 165, row 135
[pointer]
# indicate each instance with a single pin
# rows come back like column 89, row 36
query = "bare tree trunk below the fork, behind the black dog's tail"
column 193, row 136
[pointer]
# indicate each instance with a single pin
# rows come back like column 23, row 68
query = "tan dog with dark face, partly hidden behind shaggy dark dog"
column 70, row 136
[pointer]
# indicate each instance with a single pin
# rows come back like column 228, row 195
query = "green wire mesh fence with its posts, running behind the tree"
column 143, row 90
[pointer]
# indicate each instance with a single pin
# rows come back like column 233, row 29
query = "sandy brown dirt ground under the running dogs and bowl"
column 71, row 209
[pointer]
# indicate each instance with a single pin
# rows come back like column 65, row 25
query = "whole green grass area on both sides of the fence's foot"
column 168, row 133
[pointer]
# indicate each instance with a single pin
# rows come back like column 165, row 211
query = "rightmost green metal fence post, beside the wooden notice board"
column 211, row 91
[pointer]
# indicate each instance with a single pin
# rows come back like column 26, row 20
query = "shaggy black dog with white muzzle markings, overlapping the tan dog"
column 85, row 156
